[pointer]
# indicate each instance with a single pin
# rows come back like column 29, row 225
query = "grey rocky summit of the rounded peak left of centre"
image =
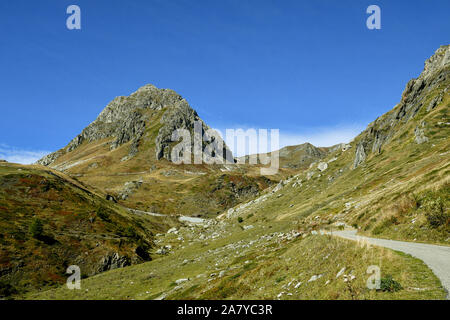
column 125, row 119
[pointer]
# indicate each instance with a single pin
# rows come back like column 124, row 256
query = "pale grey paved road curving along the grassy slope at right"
column 434, row 256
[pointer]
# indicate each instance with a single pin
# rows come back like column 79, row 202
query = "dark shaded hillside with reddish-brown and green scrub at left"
column 74, row 230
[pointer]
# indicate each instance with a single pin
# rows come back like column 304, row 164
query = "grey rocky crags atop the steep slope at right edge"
column 418, row 95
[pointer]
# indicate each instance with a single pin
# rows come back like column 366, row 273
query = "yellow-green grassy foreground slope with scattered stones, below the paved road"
column 258, row 264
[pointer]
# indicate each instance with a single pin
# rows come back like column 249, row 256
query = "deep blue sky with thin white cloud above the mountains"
column 309, row 68
